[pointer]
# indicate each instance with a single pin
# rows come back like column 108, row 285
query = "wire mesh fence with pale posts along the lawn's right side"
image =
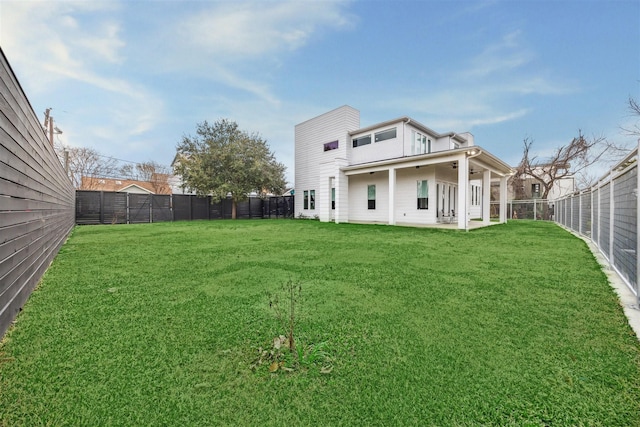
column 607, row 214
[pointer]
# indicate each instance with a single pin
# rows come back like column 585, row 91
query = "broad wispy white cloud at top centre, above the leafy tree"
column 234, row 43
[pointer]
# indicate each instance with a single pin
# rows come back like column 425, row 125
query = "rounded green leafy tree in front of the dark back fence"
column 221, row 160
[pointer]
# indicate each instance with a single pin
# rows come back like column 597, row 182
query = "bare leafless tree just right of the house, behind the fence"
column 571, row 160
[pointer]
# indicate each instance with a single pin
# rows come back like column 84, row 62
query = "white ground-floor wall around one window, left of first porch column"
column 358, row 201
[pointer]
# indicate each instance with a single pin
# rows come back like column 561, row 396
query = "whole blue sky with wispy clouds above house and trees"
column 131, row 78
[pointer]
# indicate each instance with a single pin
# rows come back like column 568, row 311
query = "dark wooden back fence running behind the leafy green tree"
column 101, row 207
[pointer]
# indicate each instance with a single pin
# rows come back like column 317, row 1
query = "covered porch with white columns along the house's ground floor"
column 459, row 189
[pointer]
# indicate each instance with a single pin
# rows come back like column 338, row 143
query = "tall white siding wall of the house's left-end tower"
column 311, row 159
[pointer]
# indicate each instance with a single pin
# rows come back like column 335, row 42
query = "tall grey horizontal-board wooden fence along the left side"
column 36, row 198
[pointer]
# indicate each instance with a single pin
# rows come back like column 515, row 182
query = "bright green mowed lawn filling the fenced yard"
column 159, row 324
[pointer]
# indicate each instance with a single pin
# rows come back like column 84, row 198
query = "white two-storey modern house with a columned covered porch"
column 397, row 172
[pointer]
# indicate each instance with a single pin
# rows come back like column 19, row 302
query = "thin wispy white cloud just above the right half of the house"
column 490, row 88
